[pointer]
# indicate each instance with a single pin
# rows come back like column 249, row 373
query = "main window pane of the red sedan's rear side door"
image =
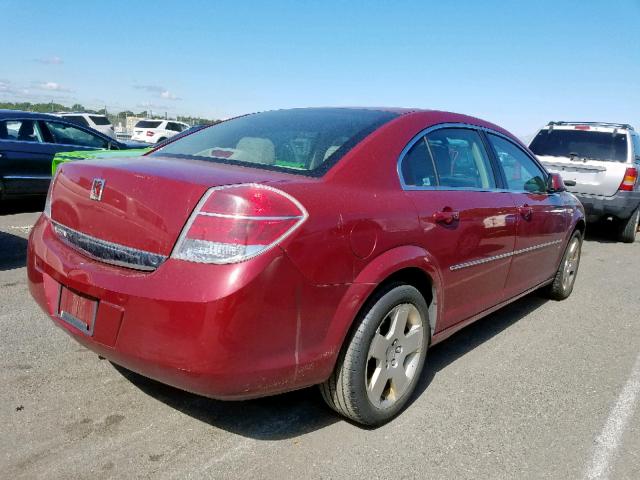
column 460, row 159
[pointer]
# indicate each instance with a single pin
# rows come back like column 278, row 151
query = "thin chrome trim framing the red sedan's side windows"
column 468, row 126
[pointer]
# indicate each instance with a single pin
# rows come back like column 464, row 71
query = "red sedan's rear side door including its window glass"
column 468, row 221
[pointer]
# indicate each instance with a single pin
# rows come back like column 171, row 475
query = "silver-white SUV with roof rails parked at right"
column 599, row 163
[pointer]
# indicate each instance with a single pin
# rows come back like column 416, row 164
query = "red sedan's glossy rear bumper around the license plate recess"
column 223, row 331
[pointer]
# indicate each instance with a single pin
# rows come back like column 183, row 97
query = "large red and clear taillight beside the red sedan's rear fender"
column 237, row 222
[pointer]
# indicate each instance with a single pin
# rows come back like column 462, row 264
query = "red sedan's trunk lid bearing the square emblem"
column 143, row 203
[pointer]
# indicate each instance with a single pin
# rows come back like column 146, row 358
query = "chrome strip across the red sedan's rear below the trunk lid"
column 108, row 252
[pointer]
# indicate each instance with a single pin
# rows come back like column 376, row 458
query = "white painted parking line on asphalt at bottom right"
column 609, row 439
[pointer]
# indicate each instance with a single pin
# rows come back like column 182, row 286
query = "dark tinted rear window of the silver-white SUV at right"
column 582, row 144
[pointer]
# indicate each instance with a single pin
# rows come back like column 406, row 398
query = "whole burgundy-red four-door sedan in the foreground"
column 291, row 248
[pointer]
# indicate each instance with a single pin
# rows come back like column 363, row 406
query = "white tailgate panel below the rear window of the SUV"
column 595, row 177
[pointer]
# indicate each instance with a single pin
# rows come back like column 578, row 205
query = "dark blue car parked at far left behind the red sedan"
column 28, row 143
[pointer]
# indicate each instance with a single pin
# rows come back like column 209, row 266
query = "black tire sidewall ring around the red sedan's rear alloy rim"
column 360, row 343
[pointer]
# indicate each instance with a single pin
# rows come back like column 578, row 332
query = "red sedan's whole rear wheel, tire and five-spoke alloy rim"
column 380, row 365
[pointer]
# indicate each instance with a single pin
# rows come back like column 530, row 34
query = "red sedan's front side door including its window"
column 542, row 217
